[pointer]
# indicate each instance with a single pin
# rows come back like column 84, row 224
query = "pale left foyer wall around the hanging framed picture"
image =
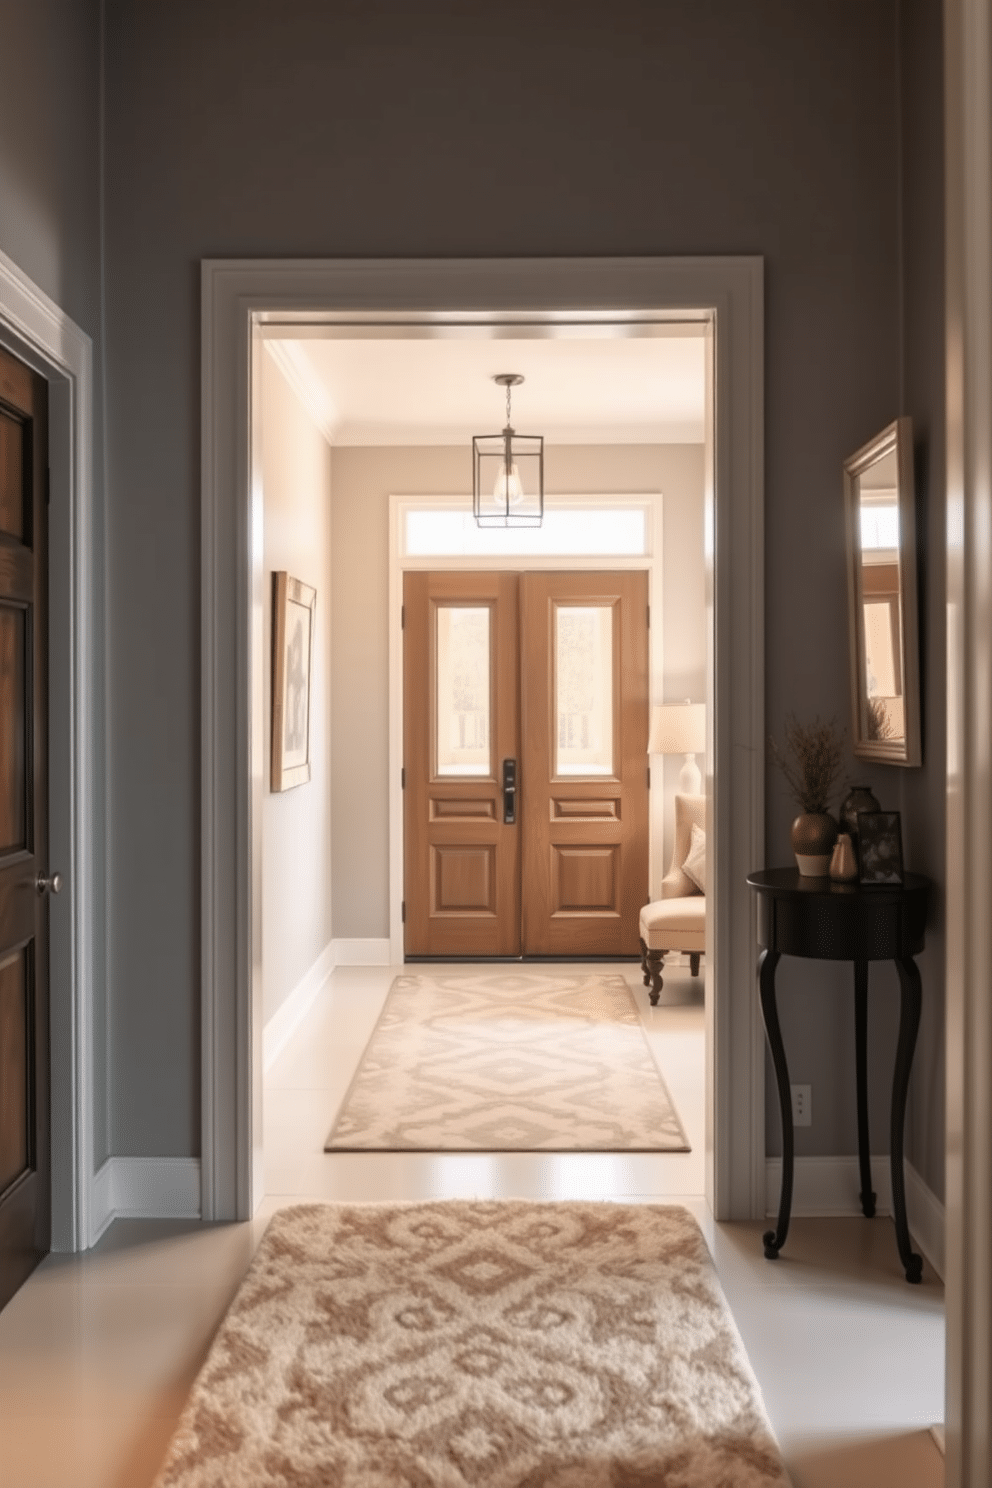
column 297, row 911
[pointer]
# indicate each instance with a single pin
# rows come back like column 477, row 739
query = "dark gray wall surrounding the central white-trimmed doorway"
column 370, row 129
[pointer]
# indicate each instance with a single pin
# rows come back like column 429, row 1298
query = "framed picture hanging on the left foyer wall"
column 294, row 608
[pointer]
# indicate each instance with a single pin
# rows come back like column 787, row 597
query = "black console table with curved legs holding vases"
column 817, row 917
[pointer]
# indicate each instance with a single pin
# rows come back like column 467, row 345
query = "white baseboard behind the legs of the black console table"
column 825, row 1187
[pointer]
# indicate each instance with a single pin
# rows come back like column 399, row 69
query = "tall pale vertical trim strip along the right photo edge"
column 969, row 800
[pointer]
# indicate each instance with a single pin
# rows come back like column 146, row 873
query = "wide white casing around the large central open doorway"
column 246, row 301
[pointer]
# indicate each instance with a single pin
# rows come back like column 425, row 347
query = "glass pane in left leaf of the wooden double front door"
column 463, row 721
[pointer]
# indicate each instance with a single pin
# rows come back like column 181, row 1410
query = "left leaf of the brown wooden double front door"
column 460, row 725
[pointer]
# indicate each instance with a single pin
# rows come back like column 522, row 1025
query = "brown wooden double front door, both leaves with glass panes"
column 526, row 763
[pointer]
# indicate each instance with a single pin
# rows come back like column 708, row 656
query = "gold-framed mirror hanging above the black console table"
column 881, row 522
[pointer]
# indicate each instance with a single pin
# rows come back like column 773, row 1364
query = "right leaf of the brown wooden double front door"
column 584, row 770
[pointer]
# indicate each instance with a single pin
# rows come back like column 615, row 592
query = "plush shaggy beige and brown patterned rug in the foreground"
column 477, row 1346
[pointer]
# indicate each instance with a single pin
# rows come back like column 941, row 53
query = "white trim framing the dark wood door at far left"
column 35, row 330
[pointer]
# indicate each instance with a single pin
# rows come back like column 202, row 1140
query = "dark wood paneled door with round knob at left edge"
column 25, row 1036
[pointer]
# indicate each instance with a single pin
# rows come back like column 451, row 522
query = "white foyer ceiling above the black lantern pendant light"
column 441, row 392
